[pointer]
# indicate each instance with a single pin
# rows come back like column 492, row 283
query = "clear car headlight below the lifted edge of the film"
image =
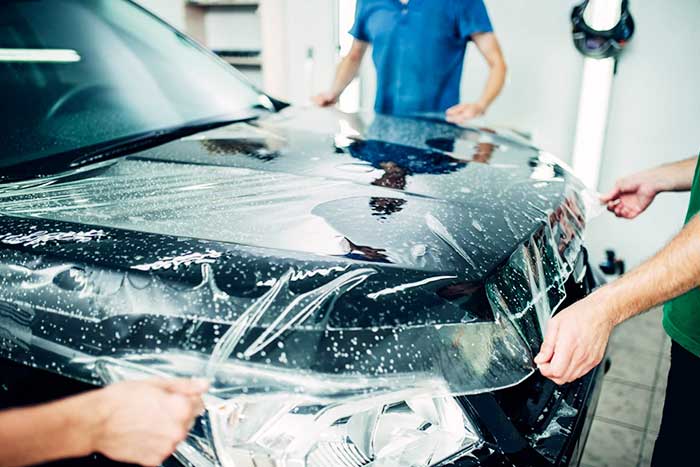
column 278, row 431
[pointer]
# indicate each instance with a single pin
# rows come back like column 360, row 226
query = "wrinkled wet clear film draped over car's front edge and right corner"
column 282, row 340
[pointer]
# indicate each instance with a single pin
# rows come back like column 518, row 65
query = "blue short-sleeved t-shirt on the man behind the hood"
column 418, row 50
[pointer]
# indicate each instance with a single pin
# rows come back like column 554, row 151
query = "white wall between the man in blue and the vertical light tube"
column 544, row 72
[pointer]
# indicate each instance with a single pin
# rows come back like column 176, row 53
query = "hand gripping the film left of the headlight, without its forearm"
column 142, row 422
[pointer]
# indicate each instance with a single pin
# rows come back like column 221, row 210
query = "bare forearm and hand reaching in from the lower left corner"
column 135, row 422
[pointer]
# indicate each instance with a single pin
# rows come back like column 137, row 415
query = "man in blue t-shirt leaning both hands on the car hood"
column 418, row 47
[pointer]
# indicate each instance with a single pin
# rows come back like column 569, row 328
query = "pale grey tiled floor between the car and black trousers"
column 631, row 402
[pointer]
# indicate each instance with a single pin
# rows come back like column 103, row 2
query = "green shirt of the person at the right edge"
column 682, row 314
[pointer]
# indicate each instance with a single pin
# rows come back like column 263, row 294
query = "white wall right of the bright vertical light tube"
column 654, row 119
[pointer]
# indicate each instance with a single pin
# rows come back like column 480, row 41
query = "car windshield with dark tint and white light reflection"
column 79, row 73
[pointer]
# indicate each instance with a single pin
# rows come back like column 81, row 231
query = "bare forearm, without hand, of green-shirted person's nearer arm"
column 671, row 272
